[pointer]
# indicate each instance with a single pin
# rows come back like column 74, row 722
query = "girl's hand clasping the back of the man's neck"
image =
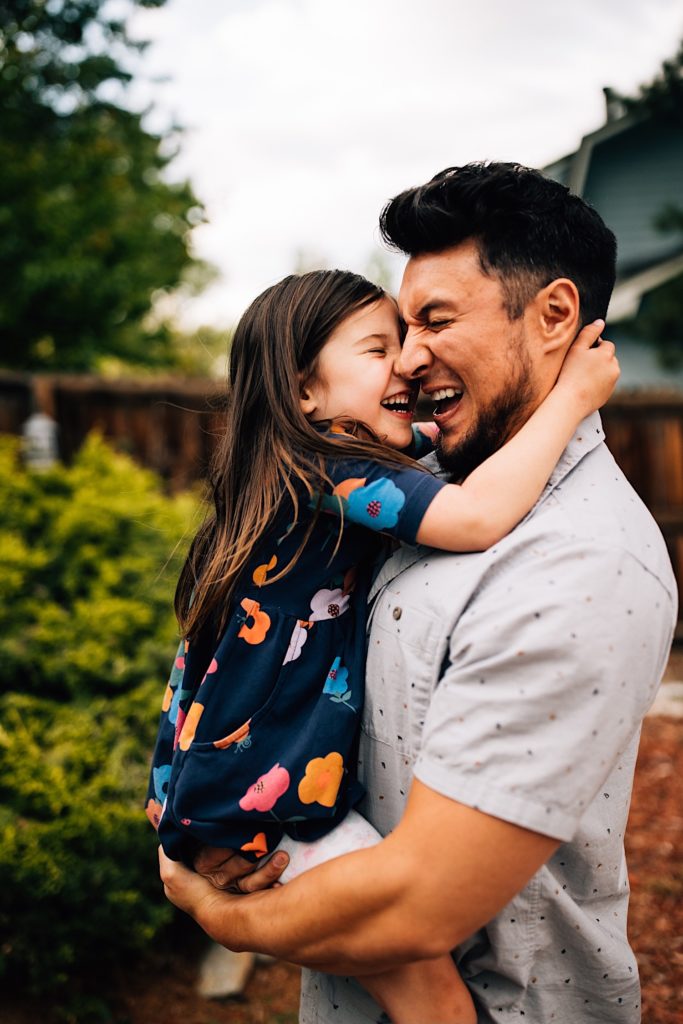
column 590, row 370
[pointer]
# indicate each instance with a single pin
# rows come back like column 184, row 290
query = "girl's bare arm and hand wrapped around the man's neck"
column 491, row 502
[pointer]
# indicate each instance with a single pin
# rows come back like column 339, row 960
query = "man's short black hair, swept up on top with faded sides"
column 529, row 231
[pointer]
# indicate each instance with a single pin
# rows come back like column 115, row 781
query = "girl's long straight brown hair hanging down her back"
column 269, row 445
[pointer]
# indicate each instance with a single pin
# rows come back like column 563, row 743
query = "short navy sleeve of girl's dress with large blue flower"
column 390, row 499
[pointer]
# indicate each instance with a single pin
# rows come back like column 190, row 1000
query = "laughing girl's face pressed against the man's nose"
column 356, row 376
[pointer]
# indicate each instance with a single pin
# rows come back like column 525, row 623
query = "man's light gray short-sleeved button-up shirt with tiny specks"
column 516, row 681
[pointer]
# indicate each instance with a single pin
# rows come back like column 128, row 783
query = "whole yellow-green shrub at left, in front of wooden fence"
column 89, row 561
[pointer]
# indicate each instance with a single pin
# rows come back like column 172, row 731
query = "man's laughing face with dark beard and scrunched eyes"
column 471, row 359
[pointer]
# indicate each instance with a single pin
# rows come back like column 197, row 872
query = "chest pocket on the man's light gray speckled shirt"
column 406, row 651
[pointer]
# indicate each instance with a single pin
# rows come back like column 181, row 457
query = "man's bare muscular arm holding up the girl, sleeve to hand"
column 444, row 873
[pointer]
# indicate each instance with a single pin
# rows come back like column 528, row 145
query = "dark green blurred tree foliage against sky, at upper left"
column 92, row 233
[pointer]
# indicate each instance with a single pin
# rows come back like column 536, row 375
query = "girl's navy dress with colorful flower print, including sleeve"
column 259, row 727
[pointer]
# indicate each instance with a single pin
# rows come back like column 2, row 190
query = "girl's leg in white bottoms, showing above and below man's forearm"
column 423, row 993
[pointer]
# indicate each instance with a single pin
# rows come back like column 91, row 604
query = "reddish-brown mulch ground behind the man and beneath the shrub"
column 655, row 845
